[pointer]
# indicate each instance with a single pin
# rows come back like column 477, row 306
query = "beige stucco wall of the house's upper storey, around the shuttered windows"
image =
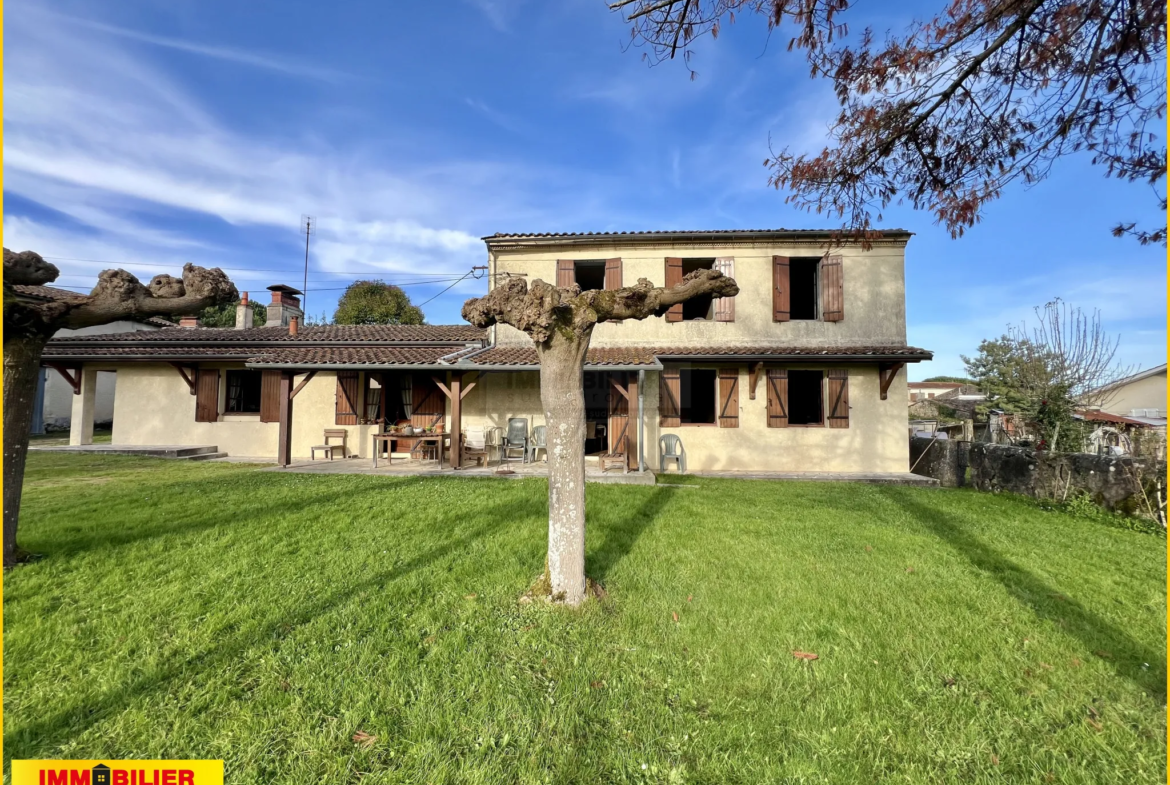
column 875, row 295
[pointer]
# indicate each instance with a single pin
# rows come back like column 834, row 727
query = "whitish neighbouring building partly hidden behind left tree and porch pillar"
column 56, row 392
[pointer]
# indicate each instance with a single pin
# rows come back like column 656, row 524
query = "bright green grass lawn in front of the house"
column 215, row 611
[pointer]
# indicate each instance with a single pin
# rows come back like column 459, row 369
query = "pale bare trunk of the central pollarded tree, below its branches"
column 563, row 398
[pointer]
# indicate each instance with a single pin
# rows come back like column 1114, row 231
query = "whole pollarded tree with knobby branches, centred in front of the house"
column 561, row 323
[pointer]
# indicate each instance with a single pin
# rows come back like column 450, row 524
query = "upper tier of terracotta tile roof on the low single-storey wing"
column 453, row 334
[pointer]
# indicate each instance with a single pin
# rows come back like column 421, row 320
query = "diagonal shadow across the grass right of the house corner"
column 1125, row 655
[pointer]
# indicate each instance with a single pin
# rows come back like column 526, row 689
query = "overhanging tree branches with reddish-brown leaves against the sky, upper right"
column 953, row 111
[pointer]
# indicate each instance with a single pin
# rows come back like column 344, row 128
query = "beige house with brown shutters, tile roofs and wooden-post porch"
column 803, row 371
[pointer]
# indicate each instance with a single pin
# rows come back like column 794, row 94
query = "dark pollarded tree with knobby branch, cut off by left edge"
column 30, row 322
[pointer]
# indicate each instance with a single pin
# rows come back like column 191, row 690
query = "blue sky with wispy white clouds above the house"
column 154, row 133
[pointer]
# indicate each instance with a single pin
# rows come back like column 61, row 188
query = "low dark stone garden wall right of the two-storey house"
column 1113, row 483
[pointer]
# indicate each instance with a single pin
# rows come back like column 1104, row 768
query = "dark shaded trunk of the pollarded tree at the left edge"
column 22, row 364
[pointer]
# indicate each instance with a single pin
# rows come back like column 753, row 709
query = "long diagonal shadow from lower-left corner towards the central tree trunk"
column 51, row 731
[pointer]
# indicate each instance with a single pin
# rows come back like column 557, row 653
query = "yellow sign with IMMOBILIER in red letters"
column 118, row 773
